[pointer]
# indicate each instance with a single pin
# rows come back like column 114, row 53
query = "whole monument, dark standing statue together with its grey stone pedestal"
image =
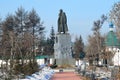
column 62, row 46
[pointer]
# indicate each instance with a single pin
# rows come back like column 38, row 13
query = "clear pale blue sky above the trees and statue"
column 80, row 13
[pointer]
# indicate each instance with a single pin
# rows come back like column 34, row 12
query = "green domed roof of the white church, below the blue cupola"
column 111, row 39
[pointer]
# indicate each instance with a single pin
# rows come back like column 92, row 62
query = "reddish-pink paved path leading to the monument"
column 66, row 76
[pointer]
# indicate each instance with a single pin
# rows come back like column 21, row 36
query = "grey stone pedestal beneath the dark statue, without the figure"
column 62, row 49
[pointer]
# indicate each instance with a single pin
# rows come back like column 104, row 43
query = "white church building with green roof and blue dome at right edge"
column 112, row 47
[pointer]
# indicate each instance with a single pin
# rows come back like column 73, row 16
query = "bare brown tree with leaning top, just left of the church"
column 95, row 41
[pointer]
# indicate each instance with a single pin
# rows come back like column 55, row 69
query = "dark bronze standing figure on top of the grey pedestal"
column 62, row 22
